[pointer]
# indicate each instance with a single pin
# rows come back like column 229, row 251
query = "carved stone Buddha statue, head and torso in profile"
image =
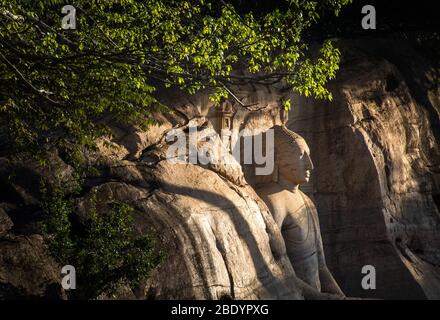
column 294, row 212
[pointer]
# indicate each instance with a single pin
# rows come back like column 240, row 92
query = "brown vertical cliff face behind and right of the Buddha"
column 376, row 178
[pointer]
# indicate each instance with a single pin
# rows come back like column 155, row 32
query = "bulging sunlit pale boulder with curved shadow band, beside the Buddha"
column 220, row 239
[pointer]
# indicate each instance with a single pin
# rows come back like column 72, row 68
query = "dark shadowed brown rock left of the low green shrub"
column 26, row 269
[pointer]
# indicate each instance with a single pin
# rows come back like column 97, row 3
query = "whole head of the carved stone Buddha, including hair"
column 292, row 156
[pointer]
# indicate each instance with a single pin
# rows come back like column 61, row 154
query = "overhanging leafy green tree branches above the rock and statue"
column 59, row 87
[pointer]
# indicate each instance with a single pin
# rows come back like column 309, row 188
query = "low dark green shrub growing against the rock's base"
column 105, row 252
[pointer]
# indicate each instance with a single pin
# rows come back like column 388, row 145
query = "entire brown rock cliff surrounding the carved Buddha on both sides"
column 376, row 185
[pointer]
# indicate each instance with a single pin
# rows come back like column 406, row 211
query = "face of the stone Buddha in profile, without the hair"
column 295, row 164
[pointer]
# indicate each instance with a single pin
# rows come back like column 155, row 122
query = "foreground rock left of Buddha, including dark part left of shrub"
column 220, row 239
